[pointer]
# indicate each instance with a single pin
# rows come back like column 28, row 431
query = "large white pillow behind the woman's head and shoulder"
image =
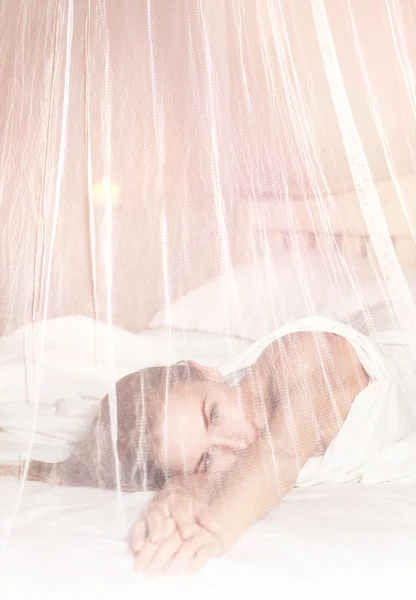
column 253, row 300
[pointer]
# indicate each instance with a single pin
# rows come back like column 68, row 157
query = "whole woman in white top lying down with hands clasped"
column 224, row 455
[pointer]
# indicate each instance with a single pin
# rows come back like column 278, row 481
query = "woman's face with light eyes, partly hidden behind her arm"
column 204, row 427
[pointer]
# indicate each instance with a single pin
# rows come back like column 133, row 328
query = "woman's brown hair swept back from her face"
column 139, row 400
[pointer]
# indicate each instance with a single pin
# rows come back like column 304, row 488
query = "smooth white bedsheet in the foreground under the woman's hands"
column 346, row 541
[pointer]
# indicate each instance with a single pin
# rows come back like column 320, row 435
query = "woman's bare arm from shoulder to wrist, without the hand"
column 320, row 377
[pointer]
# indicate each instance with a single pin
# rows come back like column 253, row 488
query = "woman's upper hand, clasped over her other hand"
column 171, row 509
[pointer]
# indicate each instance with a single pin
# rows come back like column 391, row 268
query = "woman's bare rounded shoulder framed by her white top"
column 320, row 377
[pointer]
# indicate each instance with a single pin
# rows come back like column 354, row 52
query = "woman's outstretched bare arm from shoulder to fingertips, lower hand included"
column 318, row 376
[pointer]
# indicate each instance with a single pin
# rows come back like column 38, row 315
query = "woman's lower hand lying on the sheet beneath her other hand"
column 173, row 555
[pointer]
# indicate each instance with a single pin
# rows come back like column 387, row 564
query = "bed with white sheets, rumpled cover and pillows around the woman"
column 325, row 541
